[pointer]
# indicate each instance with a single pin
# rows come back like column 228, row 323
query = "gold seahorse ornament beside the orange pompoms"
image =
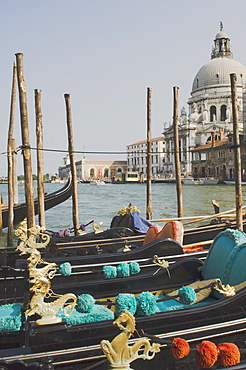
column 119, row 353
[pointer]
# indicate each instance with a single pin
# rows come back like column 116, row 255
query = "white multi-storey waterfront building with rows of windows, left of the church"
column 137, row 156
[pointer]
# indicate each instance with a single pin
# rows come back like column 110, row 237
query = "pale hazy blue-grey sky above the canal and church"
column 105, row 54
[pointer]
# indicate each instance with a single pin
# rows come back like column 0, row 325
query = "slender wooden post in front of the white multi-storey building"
column 149, row 157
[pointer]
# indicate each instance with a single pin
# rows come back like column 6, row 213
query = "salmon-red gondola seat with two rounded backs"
column 172, row 229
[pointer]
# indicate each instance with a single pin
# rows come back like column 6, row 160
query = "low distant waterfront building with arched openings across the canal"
column 89, row 169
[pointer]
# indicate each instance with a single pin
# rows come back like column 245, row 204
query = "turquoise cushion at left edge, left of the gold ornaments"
column 10, row 317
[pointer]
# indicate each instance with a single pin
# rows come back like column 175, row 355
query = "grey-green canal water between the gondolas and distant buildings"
column 102, row 202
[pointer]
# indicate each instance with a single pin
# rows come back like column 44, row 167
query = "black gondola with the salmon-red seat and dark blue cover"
column 120, row 243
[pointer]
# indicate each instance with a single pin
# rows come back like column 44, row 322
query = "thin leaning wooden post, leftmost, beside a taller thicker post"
column 10, row 157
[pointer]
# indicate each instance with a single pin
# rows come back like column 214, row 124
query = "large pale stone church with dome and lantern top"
column 209, row 106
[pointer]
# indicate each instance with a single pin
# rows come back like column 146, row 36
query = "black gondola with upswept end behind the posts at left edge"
column 50, row 200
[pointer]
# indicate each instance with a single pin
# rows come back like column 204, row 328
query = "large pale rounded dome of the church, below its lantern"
column 217, row 72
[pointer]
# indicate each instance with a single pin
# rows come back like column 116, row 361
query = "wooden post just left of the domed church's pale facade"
column 176, row 152
